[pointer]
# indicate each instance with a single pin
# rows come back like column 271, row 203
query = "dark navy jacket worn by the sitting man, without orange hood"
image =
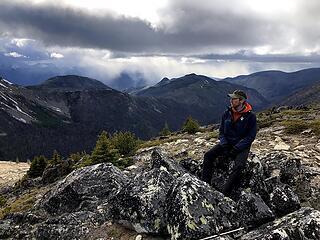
column 241, row 133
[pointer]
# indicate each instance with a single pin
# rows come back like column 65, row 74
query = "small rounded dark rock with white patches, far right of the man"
column 283, row 200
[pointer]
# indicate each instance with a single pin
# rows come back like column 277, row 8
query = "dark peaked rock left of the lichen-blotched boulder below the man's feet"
column 141, row 203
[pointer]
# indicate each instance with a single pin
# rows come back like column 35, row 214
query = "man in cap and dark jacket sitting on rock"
column 237, row 131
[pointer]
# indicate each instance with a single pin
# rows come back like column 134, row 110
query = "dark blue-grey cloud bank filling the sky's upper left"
column 55, row 25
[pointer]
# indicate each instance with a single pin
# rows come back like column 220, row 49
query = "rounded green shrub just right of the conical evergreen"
column 125, row 142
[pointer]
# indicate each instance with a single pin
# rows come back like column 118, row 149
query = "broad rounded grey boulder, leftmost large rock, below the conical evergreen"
column 97, row 182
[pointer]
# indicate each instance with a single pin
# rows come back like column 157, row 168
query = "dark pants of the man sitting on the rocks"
column 211, row 161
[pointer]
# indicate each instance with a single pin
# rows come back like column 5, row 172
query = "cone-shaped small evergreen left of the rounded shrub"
column 104, row 150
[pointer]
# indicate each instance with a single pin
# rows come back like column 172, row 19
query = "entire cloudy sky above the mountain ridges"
column 161, row 38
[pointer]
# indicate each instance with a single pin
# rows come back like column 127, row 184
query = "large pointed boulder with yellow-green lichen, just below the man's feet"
column 195, row 210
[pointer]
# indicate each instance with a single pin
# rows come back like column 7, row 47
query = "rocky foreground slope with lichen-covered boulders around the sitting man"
column 161, row 196
